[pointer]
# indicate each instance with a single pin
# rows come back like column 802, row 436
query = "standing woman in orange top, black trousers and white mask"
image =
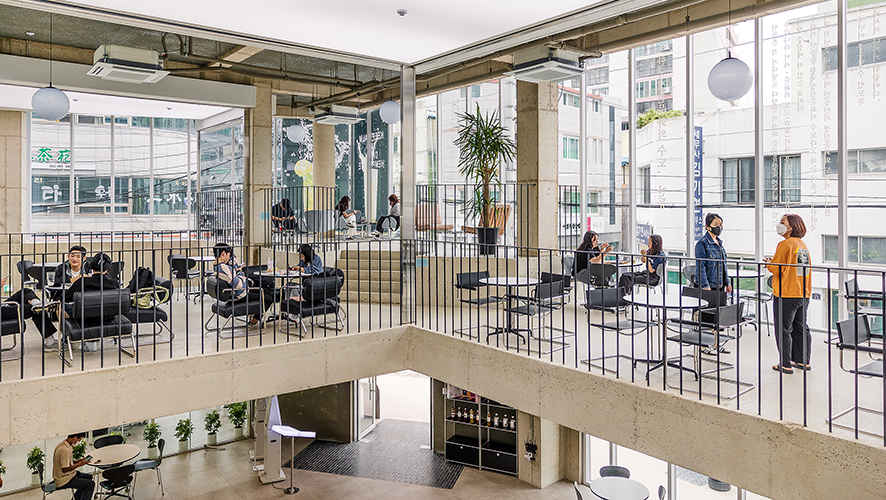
column 792, row 287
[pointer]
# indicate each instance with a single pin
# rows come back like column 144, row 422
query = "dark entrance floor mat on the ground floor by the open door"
column 391, row 452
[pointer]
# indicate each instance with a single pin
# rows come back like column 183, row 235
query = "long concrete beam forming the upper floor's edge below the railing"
column 778, row 460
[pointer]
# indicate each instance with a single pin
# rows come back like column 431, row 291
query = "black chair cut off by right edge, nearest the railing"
column 855, row 337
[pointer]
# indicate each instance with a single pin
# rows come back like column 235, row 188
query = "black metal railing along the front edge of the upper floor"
column 522, row 299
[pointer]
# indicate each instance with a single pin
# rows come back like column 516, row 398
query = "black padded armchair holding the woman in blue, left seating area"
column 320, row 296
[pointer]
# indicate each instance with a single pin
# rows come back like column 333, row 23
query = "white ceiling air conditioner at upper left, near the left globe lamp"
column 126, row 64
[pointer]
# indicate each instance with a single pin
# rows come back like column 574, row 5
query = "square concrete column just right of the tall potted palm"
column 537, row 164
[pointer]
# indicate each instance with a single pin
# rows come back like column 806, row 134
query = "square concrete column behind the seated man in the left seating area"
column 258, row 176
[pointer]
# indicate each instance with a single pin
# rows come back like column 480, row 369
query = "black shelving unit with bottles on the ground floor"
column 478, row 444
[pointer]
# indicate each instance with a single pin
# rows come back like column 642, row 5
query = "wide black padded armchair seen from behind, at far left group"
column 97, row 315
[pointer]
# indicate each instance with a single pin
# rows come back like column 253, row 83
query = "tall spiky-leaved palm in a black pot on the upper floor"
column 483, row 144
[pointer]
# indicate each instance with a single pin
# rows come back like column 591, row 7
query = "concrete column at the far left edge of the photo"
column 13, row 154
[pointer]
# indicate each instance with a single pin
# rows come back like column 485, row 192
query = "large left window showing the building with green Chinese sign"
column 120, row 174
